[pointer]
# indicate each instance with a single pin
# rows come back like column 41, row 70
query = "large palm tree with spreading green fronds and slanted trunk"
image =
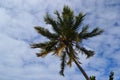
column 66, row 38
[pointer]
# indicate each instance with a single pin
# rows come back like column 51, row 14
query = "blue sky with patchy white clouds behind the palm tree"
column 19, row 62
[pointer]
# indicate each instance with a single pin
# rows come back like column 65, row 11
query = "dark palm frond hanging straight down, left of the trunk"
column 63, row 63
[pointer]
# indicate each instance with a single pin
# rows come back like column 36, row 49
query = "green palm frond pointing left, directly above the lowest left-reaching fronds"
column 44, row 32
